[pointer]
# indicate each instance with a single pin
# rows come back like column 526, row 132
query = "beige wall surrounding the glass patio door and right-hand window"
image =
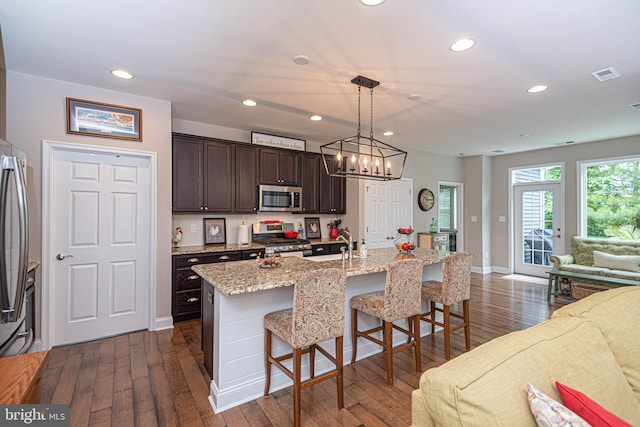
column 570, row 155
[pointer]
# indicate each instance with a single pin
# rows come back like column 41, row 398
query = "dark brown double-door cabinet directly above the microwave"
column 280, row 167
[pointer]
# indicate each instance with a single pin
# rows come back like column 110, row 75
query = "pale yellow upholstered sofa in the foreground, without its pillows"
column 591, row 345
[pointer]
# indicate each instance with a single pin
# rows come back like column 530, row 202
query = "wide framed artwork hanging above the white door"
column 103, row 120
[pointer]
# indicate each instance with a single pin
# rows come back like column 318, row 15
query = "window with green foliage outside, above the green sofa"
column 611, row 198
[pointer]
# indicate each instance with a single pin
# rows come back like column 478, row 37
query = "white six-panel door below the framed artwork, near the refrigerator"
column 100, row 240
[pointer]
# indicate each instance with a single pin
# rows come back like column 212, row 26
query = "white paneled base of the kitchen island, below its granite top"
column 238, row 373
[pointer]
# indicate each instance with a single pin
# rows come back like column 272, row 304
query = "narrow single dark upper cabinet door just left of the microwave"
column 246, row 179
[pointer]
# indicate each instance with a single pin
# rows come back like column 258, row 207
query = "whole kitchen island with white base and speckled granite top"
column 237, row 295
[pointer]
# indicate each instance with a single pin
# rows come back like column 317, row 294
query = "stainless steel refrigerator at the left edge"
column 14, row 250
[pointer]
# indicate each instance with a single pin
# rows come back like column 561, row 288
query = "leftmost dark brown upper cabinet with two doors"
column 203, row 175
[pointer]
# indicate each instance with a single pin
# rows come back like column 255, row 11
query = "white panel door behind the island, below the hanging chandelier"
column 388, row 206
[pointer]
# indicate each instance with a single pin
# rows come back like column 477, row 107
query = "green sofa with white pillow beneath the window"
column 618, row 259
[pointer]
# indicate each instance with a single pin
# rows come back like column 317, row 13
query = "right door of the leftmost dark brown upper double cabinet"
column 219, row 173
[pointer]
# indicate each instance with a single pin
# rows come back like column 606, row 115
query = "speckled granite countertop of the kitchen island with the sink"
column 240, row 277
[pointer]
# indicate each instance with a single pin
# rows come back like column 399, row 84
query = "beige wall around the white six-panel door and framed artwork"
column 36, row 111
